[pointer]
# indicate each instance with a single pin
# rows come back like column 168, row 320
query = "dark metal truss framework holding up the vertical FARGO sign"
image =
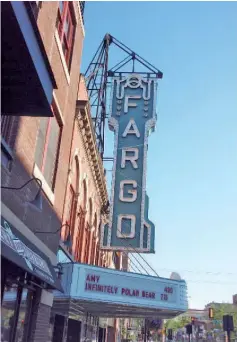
column 98, row 75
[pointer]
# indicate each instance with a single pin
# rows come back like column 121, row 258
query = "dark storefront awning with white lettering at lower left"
column 16, row 248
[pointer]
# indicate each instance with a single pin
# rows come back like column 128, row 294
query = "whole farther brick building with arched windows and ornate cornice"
column 84, row 213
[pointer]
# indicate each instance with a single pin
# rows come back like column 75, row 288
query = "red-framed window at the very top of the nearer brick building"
column 66, row 29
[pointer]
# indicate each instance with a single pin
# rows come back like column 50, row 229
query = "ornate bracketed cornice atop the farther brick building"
column 86, row 128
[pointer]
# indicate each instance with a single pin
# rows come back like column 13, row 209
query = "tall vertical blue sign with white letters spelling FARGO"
column 132, row 118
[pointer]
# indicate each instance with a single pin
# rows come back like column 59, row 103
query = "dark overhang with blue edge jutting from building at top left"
column 27, row 77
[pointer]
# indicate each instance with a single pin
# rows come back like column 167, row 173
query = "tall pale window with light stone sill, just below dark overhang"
column 47, row 148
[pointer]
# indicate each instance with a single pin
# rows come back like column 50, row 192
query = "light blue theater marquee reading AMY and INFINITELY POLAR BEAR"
column 111, row 293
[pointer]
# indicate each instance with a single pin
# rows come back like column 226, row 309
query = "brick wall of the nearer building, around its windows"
column 24, row 136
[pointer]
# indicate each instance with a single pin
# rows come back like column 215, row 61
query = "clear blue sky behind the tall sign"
column 192, row 157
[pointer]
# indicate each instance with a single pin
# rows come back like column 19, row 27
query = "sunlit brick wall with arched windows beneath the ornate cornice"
column 86, row 226
